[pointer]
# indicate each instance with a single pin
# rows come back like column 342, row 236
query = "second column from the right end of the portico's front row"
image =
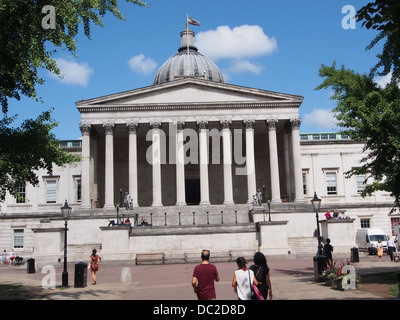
column 273, row 161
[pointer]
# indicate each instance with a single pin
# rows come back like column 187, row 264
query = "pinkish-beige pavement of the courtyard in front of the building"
column 291, row 278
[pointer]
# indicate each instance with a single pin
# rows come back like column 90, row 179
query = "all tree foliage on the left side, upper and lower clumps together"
column 24, row 42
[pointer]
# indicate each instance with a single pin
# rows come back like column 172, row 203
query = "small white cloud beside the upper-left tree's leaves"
column 73, row 72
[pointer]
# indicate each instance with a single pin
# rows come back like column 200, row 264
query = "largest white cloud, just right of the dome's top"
column 241, row 42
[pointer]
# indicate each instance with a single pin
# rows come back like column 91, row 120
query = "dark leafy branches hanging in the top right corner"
column 384, row 16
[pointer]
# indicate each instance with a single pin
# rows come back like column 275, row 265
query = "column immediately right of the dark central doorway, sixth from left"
column 204, row 191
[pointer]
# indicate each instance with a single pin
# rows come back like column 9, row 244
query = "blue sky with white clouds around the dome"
column 291, row 41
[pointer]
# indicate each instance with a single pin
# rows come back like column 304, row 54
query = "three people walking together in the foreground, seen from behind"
column 245, row 280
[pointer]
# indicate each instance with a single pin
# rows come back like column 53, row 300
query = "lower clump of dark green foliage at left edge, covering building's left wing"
column 25, row 150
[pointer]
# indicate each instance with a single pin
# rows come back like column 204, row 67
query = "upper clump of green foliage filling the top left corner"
column 23, row 40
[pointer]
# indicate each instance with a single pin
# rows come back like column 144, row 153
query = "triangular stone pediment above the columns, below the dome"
column 190, row 91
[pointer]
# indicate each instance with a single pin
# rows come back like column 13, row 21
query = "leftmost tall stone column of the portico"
column 85, row 175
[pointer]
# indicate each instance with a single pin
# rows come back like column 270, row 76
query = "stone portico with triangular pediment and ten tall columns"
column 212, row 143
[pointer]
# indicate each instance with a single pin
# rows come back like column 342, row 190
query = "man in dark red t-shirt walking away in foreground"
column 203, row 278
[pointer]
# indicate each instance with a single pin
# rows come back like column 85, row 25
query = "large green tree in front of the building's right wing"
column 371, row 114
